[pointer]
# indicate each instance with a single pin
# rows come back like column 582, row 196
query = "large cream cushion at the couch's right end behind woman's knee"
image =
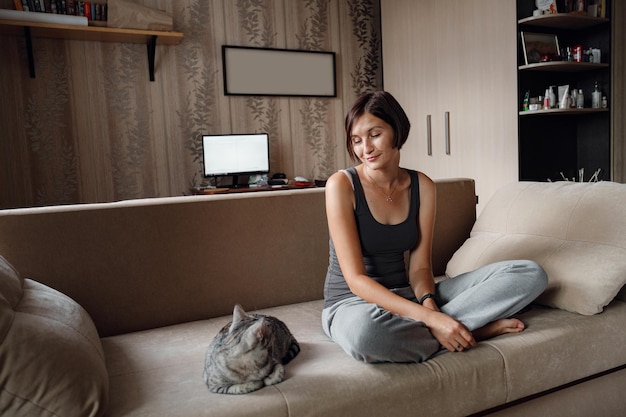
column 575, row 231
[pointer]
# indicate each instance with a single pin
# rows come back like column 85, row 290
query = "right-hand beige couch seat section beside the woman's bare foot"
column 559, row 347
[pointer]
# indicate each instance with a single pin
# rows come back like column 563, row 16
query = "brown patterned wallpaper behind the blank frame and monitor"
column 91, row 127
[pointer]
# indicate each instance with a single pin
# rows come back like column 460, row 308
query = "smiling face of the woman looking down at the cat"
column 373, row 141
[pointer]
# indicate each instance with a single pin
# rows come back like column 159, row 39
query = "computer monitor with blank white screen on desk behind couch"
column 235, row 154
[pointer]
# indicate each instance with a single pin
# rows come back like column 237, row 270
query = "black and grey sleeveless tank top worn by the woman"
column 383, row 246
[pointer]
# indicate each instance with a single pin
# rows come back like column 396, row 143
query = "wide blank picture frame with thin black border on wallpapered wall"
column 251, row 71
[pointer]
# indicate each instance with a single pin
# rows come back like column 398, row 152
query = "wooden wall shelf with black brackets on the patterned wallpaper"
column 32, row 30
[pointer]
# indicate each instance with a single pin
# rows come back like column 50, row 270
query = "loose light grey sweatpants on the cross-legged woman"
column 371, row 334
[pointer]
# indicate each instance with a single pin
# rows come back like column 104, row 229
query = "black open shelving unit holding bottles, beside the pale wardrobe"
column 559, row 142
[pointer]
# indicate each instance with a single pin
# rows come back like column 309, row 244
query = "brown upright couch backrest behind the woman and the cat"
column 147, row 263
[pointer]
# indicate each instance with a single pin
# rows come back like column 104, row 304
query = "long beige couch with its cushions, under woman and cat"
column 158, row 277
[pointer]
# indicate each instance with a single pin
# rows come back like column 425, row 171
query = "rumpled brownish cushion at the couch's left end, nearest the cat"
column 52, row 359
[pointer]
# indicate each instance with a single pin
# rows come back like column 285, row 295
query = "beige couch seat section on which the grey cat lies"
column 158, row 372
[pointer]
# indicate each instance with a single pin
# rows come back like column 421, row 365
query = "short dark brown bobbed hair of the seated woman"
column 384, row 106
